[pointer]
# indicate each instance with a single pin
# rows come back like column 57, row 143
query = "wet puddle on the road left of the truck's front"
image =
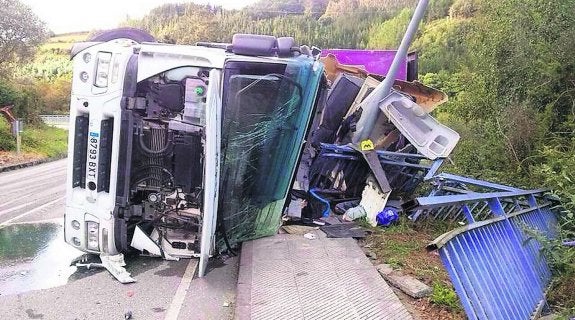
column 34, row 256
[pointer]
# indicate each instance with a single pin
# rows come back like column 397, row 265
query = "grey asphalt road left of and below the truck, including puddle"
column 32, row 250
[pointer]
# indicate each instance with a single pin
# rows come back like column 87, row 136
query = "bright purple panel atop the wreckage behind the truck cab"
column 374, row 61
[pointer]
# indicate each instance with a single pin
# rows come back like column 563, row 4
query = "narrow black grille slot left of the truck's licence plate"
column 80, row 150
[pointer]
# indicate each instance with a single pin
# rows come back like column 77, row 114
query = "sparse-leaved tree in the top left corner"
column 20, row 32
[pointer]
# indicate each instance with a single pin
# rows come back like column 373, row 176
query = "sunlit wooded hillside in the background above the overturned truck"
column 324, row 23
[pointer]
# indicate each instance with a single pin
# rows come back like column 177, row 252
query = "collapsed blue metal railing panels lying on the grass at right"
column 495, row 261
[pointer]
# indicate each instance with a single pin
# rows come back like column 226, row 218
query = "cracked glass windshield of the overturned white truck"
column 262, row 119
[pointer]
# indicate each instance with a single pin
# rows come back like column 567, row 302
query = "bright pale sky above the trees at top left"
column 63, row 16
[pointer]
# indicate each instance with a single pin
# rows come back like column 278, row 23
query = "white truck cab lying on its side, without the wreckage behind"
column 167, row 142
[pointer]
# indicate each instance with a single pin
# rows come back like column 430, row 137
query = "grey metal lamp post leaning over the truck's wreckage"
column 371, row 107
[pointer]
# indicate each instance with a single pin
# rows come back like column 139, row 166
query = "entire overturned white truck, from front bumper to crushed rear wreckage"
column 186, row 151
